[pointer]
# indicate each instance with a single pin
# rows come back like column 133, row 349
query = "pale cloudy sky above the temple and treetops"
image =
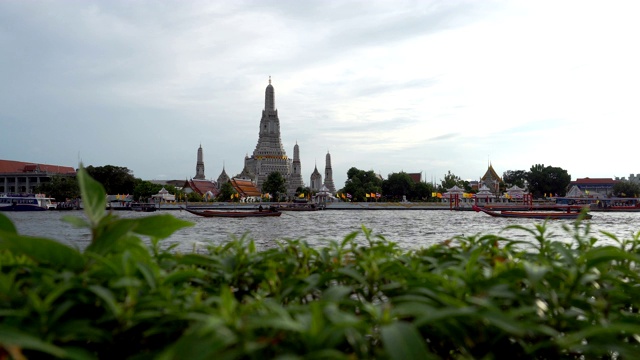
column 389, row 86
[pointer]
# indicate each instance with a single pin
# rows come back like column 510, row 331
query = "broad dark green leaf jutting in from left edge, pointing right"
column 43, row 251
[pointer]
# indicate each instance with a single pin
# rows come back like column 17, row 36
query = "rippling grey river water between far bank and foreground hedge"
column 410, row 229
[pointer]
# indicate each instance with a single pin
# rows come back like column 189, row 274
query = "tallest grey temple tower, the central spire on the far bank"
column 269, row 155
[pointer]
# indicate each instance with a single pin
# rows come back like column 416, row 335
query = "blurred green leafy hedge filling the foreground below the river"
column 474, row 297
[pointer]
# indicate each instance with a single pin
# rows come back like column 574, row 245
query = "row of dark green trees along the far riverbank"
column 539, row 180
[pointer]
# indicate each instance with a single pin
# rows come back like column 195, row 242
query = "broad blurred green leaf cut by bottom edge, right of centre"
column 402, row 341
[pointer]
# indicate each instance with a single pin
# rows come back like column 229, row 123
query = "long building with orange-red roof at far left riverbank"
column 24, row 177
